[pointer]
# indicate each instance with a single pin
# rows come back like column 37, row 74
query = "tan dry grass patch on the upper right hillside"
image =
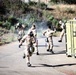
column 63, row 11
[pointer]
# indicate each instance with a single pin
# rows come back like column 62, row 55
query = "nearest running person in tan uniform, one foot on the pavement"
column 29, row 46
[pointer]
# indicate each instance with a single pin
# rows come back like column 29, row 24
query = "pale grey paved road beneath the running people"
column 12, row 63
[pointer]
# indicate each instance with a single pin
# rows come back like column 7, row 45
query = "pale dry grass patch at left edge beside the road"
column 5, row 37
